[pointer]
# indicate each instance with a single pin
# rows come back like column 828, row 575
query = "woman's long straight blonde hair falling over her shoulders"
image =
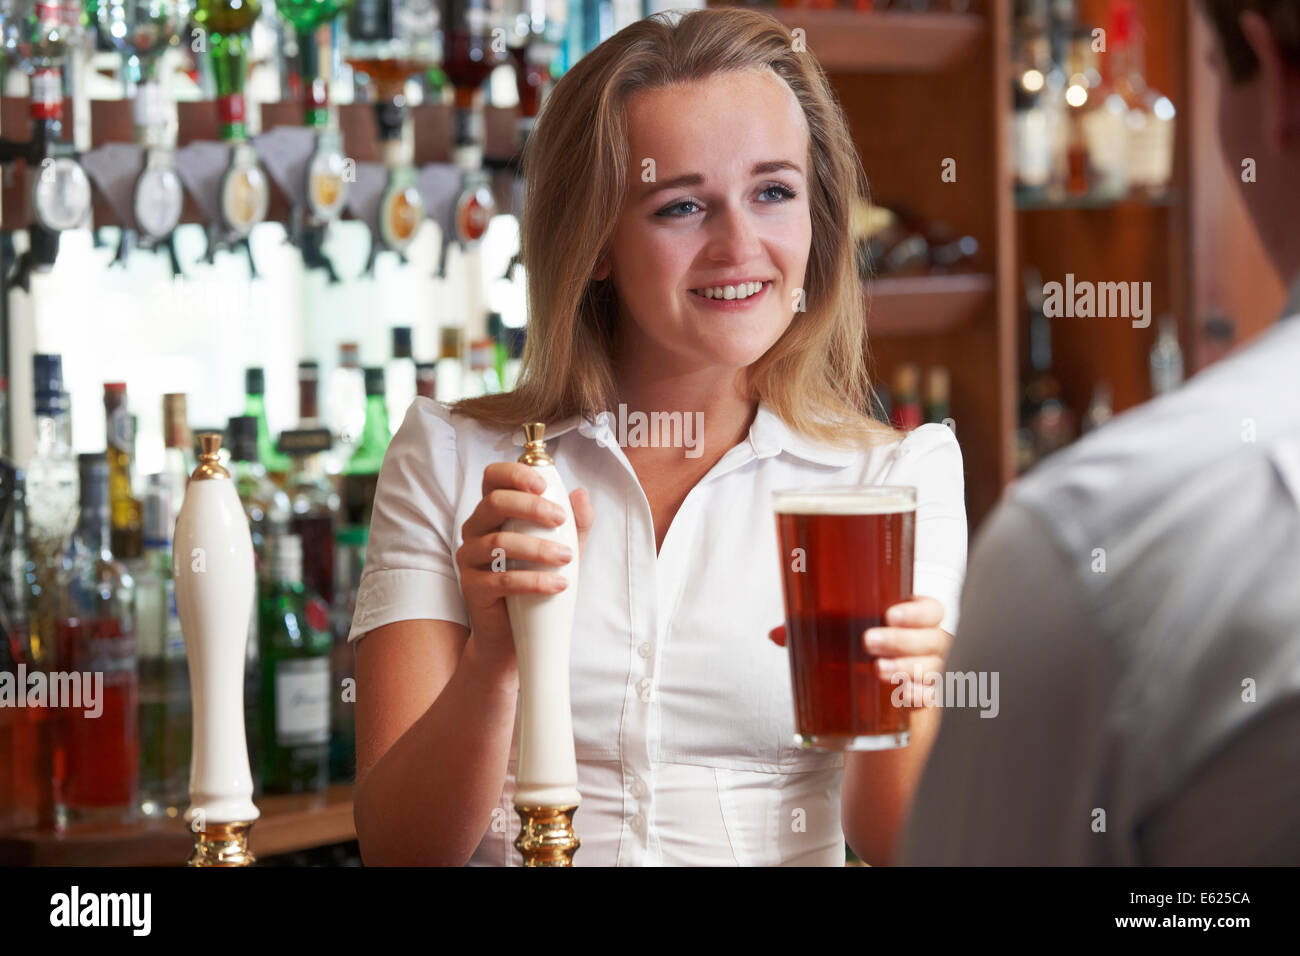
column 816, row 378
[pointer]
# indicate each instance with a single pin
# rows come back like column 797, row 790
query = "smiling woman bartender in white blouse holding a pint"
column 688, row 250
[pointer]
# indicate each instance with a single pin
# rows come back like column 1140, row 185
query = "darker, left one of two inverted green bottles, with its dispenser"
column 227, row 28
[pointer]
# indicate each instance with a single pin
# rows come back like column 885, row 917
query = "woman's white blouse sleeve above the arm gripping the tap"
column 410, row 559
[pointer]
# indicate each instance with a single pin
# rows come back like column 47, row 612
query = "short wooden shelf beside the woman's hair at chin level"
column 926, row 305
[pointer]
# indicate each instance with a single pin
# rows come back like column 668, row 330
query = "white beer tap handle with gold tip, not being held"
column 214, row 570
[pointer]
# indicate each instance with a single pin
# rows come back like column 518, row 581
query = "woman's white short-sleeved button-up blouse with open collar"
column 683, row 711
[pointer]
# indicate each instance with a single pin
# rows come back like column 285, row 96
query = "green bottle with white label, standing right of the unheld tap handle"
column 296, row 678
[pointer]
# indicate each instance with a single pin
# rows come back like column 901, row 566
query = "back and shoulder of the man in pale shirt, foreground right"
column 1139, row 596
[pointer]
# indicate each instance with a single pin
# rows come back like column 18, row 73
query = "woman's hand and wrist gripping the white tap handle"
column 512, row 490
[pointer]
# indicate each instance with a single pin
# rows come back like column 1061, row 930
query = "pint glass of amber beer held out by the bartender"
column 847, row 556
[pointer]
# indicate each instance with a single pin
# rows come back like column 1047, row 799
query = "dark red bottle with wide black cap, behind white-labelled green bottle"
column 314, row 507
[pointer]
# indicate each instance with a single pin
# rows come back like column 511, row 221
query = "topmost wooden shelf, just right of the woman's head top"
column 883, row 41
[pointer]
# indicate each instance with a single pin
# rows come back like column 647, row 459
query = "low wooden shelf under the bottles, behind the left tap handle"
column 288, row 824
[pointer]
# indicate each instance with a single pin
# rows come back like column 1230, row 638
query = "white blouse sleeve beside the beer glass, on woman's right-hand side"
column 930, row 460
